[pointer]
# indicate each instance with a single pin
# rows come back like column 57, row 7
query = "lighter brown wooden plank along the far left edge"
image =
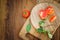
column 3, row 11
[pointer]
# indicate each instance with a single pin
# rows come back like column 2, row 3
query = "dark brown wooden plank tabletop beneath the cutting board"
column 15, row 21
